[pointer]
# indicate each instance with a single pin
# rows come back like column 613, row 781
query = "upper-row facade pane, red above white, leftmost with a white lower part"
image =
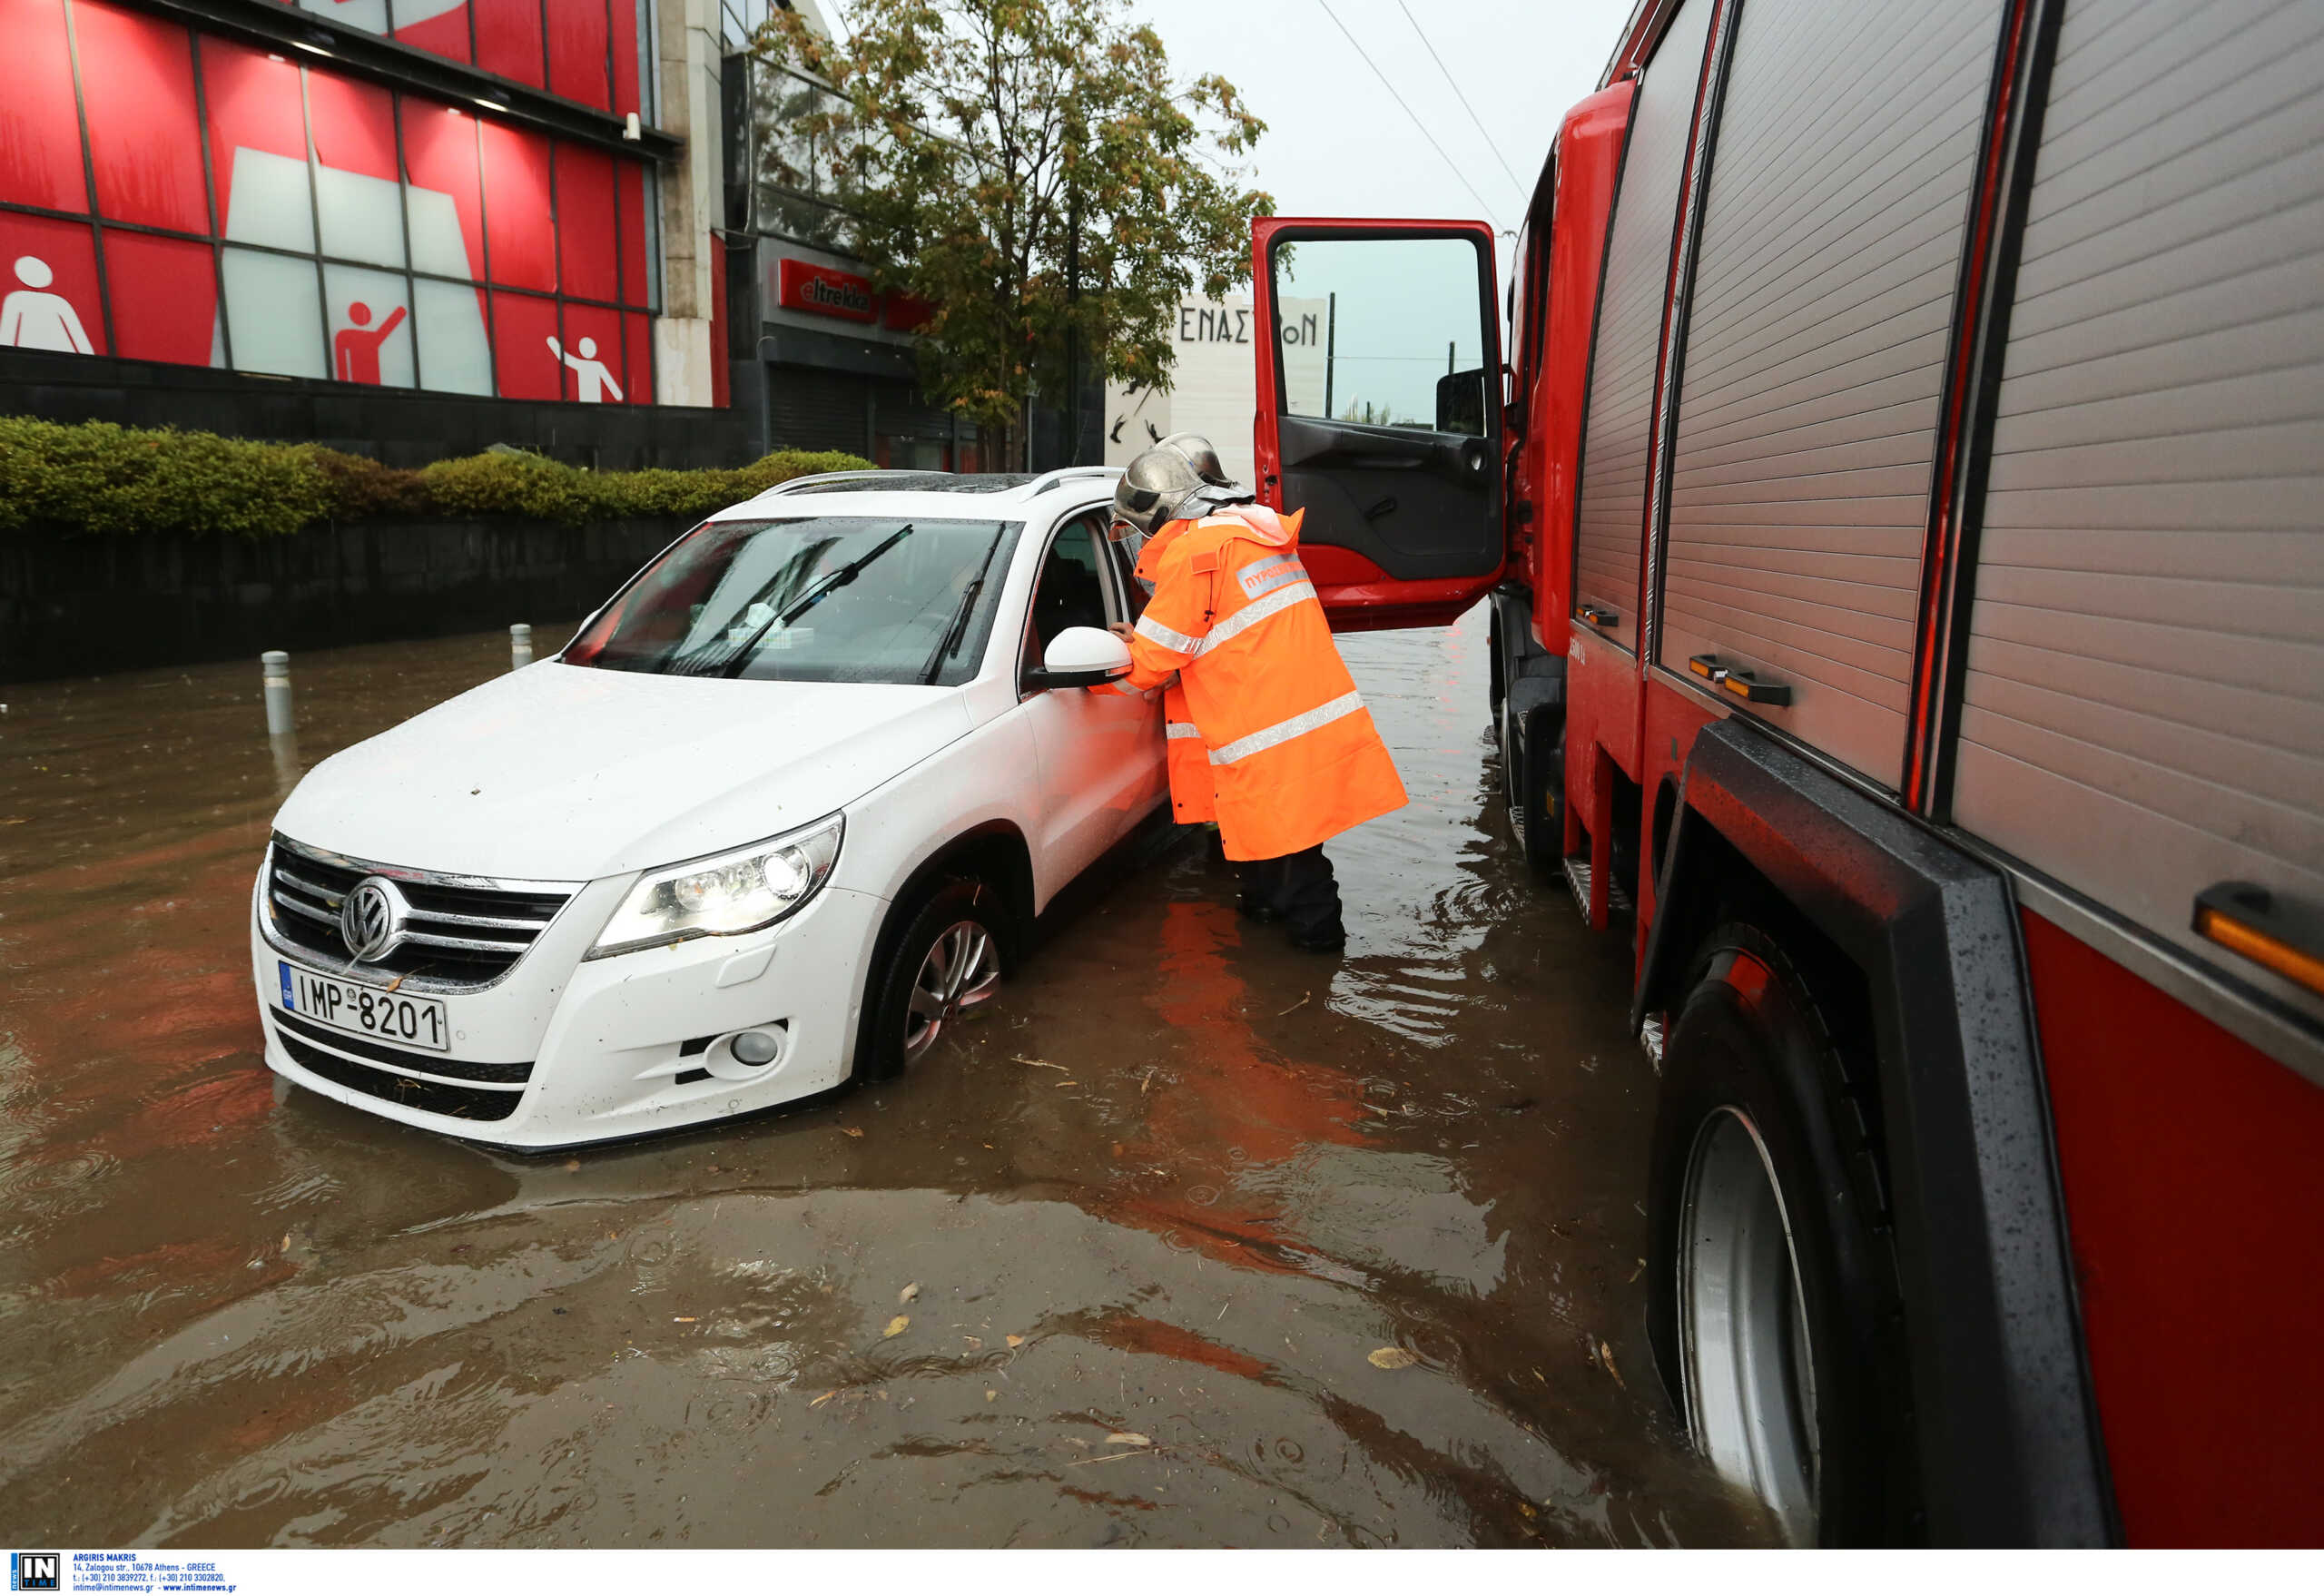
column 259, row 148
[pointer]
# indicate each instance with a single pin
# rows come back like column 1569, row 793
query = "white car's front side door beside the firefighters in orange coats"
column 1103, row 754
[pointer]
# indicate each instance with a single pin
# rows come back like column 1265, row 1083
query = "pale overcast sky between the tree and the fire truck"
column 1337, row 145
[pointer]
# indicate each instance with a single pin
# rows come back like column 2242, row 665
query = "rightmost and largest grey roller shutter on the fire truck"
column 2144, row 703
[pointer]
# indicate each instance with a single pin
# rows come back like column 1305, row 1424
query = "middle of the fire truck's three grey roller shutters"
column 1816, row 357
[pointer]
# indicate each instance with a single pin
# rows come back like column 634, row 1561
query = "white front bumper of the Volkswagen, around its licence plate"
column 615, row 1047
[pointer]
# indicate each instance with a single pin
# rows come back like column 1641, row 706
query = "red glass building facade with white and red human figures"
column 173, row 194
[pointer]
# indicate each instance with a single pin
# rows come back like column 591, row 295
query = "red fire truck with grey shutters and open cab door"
column 1898, row 477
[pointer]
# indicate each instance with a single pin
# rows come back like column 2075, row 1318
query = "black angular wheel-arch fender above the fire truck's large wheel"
column 2011, row 1451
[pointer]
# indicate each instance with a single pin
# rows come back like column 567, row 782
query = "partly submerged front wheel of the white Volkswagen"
column 942, row 968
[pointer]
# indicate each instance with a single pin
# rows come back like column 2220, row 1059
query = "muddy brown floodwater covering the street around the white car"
column 1191, row 1239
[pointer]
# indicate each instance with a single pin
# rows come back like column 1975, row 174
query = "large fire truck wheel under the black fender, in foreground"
column 1772, row 1281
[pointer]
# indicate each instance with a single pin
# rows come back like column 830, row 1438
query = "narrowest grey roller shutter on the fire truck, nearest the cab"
column 1609, row 519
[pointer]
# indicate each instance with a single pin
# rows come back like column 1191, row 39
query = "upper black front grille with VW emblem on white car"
column 464, row 935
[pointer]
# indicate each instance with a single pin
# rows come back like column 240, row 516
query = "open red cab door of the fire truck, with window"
column 1379, row 410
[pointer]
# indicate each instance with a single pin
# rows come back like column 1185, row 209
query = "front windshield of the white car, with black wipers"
column 824, row 598
